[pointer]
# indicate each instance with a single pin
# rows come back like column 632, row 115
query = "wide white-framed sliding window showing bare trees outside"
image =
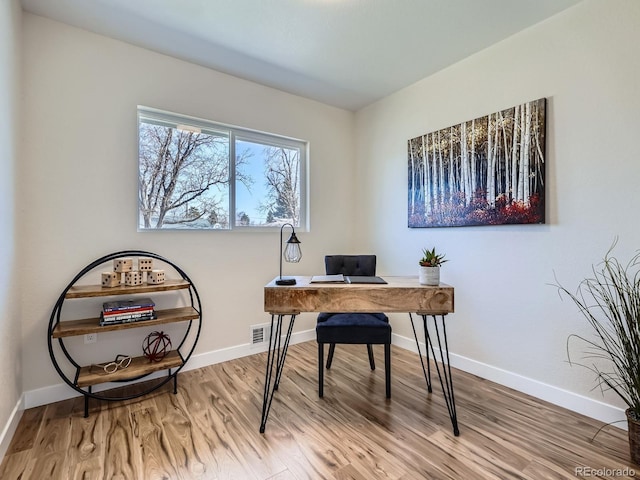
column 195, row 174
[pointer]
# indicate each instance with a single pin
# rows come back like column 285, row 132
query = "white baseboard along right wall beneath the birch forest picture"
column 563, row 398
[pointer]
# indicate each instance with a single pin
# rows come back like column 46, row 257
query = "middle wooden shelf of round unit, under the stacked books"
column 71, row 328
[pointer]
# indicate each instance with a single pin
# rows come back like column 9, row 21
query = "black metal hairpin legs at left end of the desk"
column 276, row 357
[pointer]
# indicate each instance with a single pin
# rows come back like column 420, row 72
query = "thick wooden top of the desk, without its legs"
column 399, row 294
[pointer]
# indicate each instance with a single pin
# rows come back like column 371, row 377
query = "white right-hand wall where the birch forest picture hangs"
column 510, row 324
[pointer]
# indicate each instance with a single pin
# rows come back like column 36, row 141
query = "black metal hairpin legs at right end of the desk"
column 443, row 368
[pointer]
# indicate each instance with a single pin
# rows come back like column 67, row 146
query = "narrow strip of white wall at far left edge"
column 11, row 371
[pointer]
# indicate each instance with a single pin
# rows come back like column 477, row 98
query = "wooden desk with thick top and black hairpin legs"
column 399, row 294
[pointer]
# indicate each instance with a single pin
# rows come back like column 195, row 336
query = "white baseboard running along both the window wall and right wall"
column 558, row 396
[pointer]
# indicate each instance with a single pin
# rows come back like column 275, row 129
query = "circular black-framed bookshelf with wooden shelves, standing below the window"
column 177, row 291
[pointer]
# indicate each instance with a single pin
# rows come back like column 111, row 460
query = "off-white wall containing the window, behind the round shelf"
column 79, row 180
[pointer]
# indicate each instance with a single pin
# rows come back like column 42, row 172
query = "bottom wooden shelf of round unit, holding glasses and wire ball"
column 139, row 366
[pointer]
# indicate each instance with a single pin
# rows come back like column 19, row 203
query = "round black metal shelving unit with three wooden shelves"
column 59, row 329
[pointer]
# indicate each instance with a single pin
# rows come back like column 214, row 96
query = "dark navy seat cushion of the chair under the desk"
column 353, row 328
